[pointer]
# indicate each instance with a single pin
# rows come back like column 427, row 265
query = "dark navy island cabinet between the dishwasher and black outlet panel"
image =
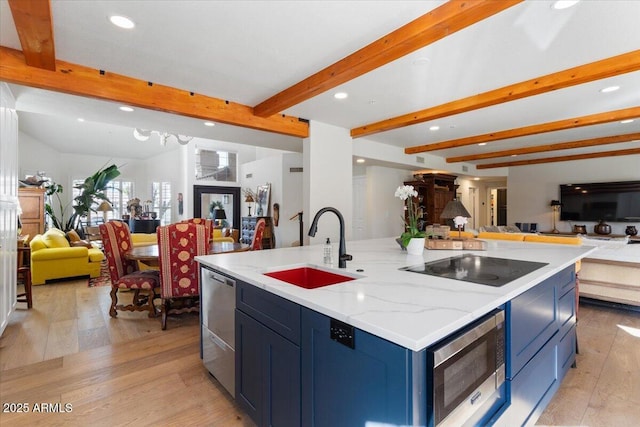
column 267, row 357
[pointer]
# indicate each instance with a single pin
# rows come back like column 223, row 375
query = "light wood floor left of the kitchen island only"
column 112, row 372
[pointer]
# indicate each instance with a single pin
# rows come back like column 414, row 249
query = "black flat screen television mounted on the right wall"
column 608, row 201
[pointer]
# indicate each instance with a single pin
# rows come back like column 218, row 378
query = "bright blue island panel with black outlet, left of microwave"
column 358, row 379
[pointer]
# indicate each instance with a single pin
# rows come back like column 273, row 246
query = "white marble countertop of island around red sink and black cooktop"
column 409, row 309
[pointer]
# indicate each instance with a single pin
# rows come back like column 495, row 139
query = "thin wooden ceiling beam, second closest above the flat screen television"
column 614, row 139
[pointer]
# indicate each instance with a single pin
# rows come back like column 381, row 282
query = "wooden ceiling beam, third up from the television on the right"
column 576, row 122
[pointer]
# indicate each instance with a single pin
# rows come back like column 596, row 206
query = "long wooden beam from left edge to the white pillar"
column 83, row 81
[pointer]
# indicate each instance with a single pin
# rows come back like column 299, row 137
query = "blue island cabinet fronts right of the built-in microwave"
column 541, row 337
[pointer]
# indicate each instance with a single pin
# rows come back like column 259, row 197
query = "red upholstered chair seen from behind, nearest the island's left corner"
column 178, row 245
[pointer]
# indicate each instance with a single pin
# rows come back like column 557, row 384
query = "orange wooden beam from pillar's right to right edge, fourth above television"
column 621, row 64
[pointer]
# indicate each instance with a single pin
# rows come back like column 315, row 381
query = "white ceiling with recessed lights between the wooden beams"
column 247, row 51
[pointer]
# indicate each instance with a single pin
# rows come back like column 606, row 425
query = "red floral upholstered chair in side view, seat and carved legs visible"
column 124, row 273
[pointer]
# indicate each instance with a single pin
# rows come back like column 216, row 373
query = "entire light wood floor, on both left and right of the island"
column 114, row 372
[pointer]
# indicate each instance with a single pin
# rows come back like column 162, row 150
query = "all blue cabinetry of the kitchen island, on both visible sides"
column 297, row 367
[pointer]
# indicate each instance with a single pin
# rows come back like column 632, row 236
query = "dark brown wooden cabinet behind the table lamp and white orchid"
column 434, row 192
